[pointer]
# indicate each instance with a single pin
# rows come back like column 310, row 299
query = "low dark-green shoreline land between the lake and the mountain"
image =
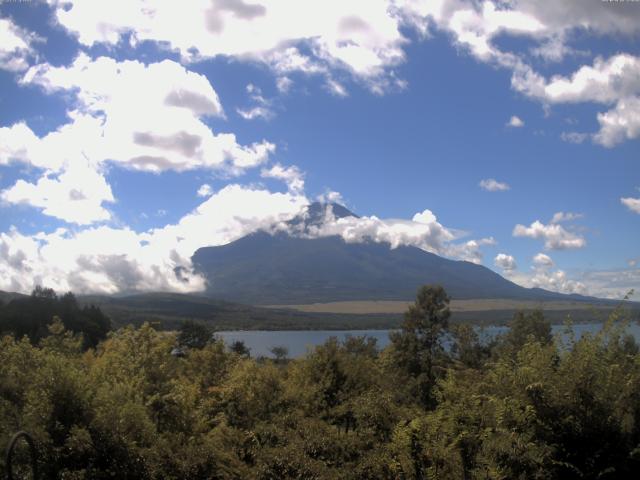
column 168, row 310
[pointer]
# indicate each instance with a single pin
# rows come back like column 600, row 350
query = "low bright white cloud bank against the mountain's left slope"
column 111, row 260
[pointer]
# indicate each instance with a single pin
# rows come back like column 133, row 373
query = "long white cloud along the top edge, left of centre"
column 360, row 37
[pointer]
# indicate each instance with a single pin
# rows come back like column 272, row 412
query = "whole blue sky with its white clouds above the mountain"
column 506, row 134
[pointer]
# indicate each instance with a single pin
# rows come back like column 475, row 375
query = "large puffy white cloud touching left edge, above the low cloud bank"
column 142, row 117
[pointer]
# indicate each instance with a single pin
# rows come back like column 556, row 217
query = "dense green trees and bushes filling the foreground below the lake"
column 528, row 406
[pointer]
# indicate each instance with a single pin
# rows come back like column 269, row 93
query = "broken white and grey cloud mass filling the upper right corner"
column 475, row 26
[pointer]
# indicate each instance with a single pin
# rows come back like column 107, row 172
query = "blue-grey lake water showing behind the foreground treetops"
column 298, row 341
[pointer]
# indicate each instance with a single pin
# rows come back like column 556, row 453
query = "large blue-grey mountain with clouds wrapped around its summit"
column 266, row 269
